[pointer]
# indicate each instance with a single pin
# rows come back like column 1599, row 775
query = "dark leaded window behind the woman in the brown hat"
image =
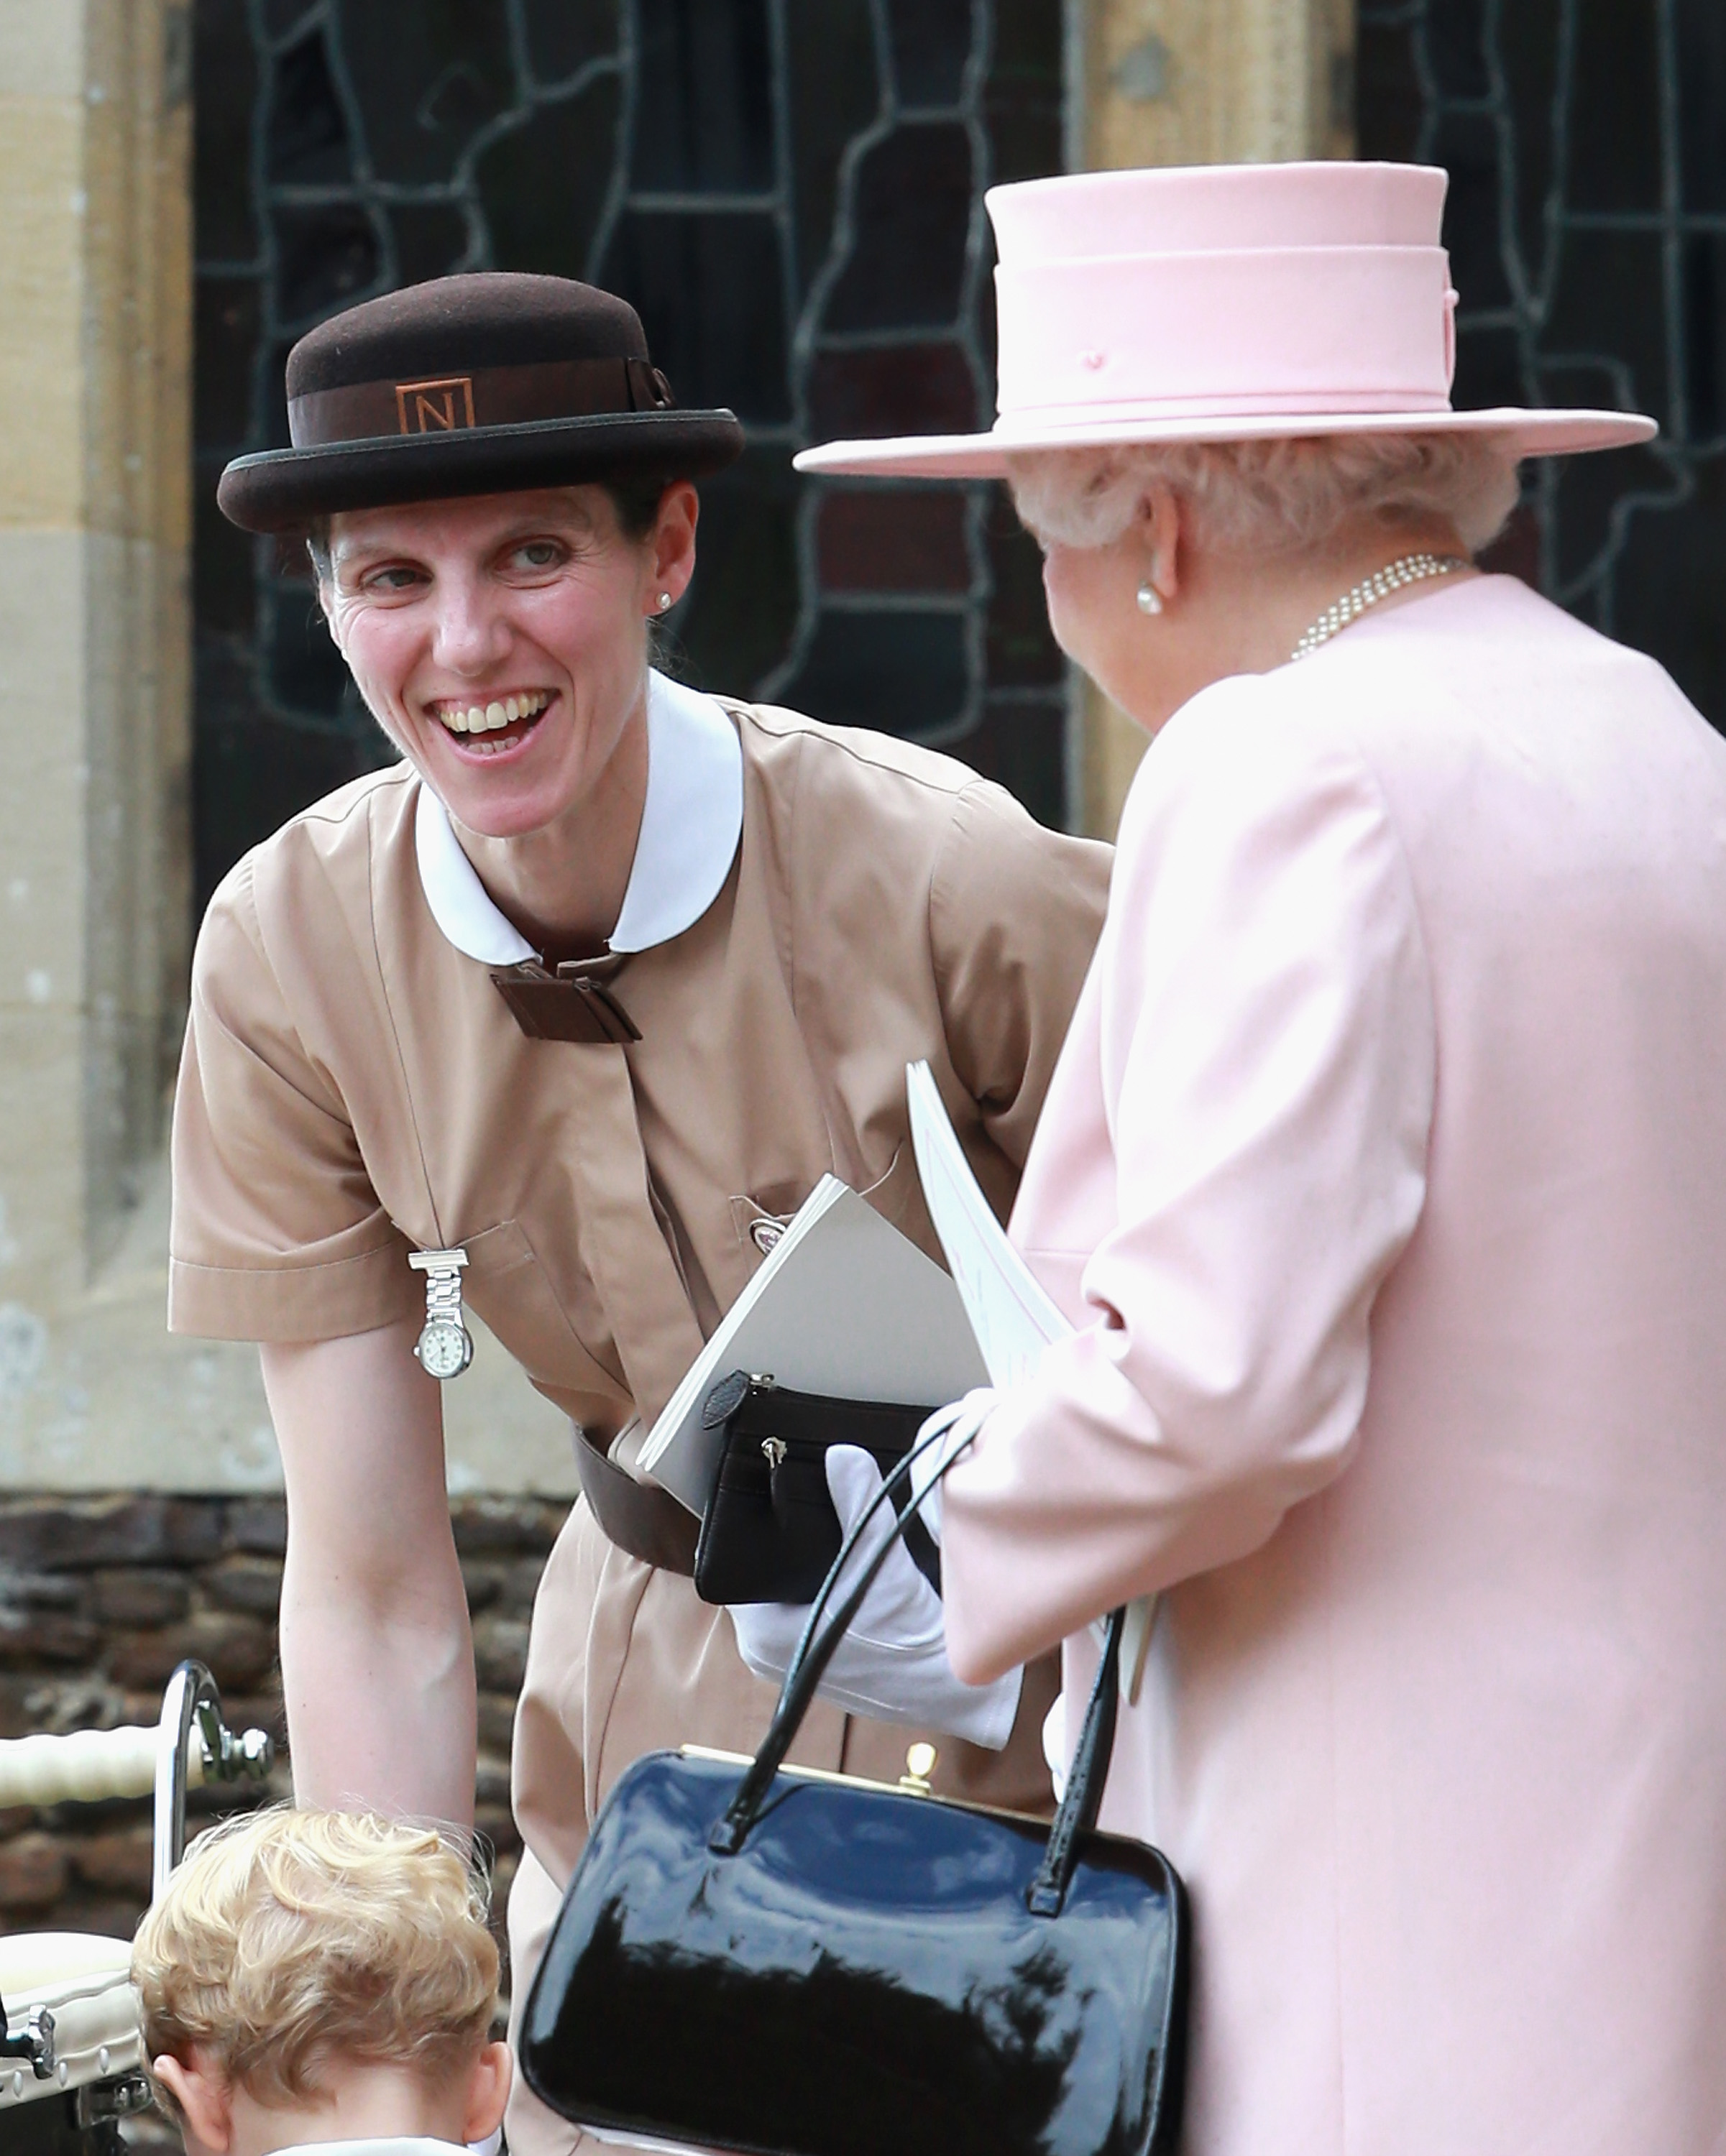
column 793, row 199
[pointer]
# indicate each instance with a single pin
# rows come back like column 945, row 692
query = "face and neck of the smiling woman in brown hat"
column 499, row 644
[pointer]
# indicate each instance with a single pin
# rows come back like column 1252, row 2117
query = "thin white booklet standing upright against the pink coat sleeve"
column 1011, row 1314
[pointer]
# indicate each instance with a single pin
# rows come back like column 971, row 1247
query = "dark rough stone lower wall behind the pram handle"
column 102, row 1597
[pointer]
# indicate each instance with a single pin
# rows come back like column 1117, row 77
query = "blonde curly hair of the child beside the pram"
column 292, row 1941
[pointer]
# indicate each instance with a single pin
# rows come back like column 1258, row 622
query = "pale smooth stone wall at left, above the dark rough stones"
column 96, row 868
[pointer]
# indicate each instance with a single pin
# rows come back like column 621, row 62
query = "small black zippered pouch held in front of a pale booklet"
column 771, row 1532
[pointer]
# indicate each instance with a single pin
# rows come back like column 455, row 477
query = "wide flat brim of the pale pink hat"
column 985, row 456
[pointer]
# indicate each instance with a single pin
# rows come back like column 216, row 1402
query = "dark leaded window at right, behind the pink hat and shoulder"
column 1587, row 223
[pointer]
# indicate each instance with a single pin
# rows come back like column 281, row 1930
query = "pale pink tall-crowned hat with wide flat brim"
column 1222, row 305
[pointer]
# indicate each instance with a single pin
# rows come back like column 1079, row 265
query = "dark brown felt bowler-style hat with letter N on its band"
column 471, row 385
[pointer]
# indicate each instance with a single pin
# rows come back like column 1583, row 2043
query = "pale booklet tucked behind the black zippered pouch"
column 845, row 1305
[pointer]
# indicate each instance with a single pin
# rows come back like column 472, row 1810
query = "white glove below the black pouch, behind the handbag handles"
column 892, row 1666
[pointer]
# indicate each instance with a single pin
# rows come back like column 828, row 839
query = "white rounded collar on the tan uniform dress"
column 689, row 835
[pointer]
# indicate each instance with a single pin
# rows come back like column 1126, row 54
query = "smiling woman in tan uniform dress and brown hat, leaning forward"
column 551, row 1017
